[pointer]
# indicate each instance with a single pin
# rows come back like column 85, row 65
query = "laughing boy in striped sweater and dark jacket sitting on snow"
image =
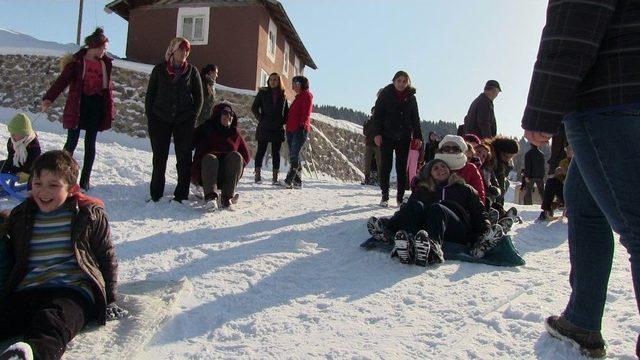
column 65, row 269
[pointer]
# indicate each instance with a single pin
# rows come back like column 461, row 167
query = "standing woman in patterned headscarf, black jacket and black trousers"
column 172, row 105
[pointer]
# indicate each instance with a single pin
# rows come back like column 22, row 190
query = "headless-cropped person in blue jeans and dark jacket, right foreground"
column 587, row 74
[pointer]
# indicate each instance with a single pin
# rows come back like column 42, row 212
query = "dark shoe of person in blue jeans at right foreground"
column 589, row 343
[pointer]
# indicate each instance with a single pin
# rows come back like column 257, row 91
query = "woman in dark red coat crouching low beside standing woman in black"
column 220, row 157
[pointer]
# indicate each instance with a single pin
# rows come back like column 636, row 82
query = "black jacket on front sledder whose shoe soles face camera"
column 463, row 200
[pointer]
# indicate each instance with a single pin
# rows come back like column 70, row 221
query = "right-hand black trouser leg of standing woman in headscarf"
column 182, row 142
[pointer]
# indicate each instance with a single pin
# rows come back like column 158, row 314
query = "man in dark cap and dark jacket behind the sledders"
column 481, row 119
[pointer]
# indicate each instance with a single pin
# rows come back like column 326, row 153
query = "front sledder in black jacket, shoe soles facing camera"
column 442, row 208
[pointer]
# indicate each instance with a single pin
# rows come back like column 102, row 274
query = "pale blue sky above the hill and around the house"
column 449, row 47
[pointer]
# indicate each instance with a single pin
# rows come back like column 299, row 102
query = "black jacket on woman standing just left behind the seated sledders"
column 396, row 120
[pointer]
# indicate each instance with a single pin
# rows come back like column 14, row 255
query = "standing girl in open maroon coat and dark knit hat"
column 89, row 105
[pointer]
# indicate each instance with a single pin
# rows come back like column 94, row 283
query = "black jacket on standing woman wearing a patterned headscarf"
column 173, row 101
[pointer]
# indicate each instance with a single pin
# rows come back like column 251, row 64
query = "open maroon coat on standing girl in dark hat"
column 72, row 76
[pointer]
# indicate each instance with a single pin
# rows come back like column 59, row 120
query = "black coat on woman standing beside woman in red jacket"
column 271, row 117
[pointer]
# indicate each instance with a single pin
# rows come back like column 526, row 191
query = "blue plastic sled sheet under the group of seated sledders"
column 504, row 254
